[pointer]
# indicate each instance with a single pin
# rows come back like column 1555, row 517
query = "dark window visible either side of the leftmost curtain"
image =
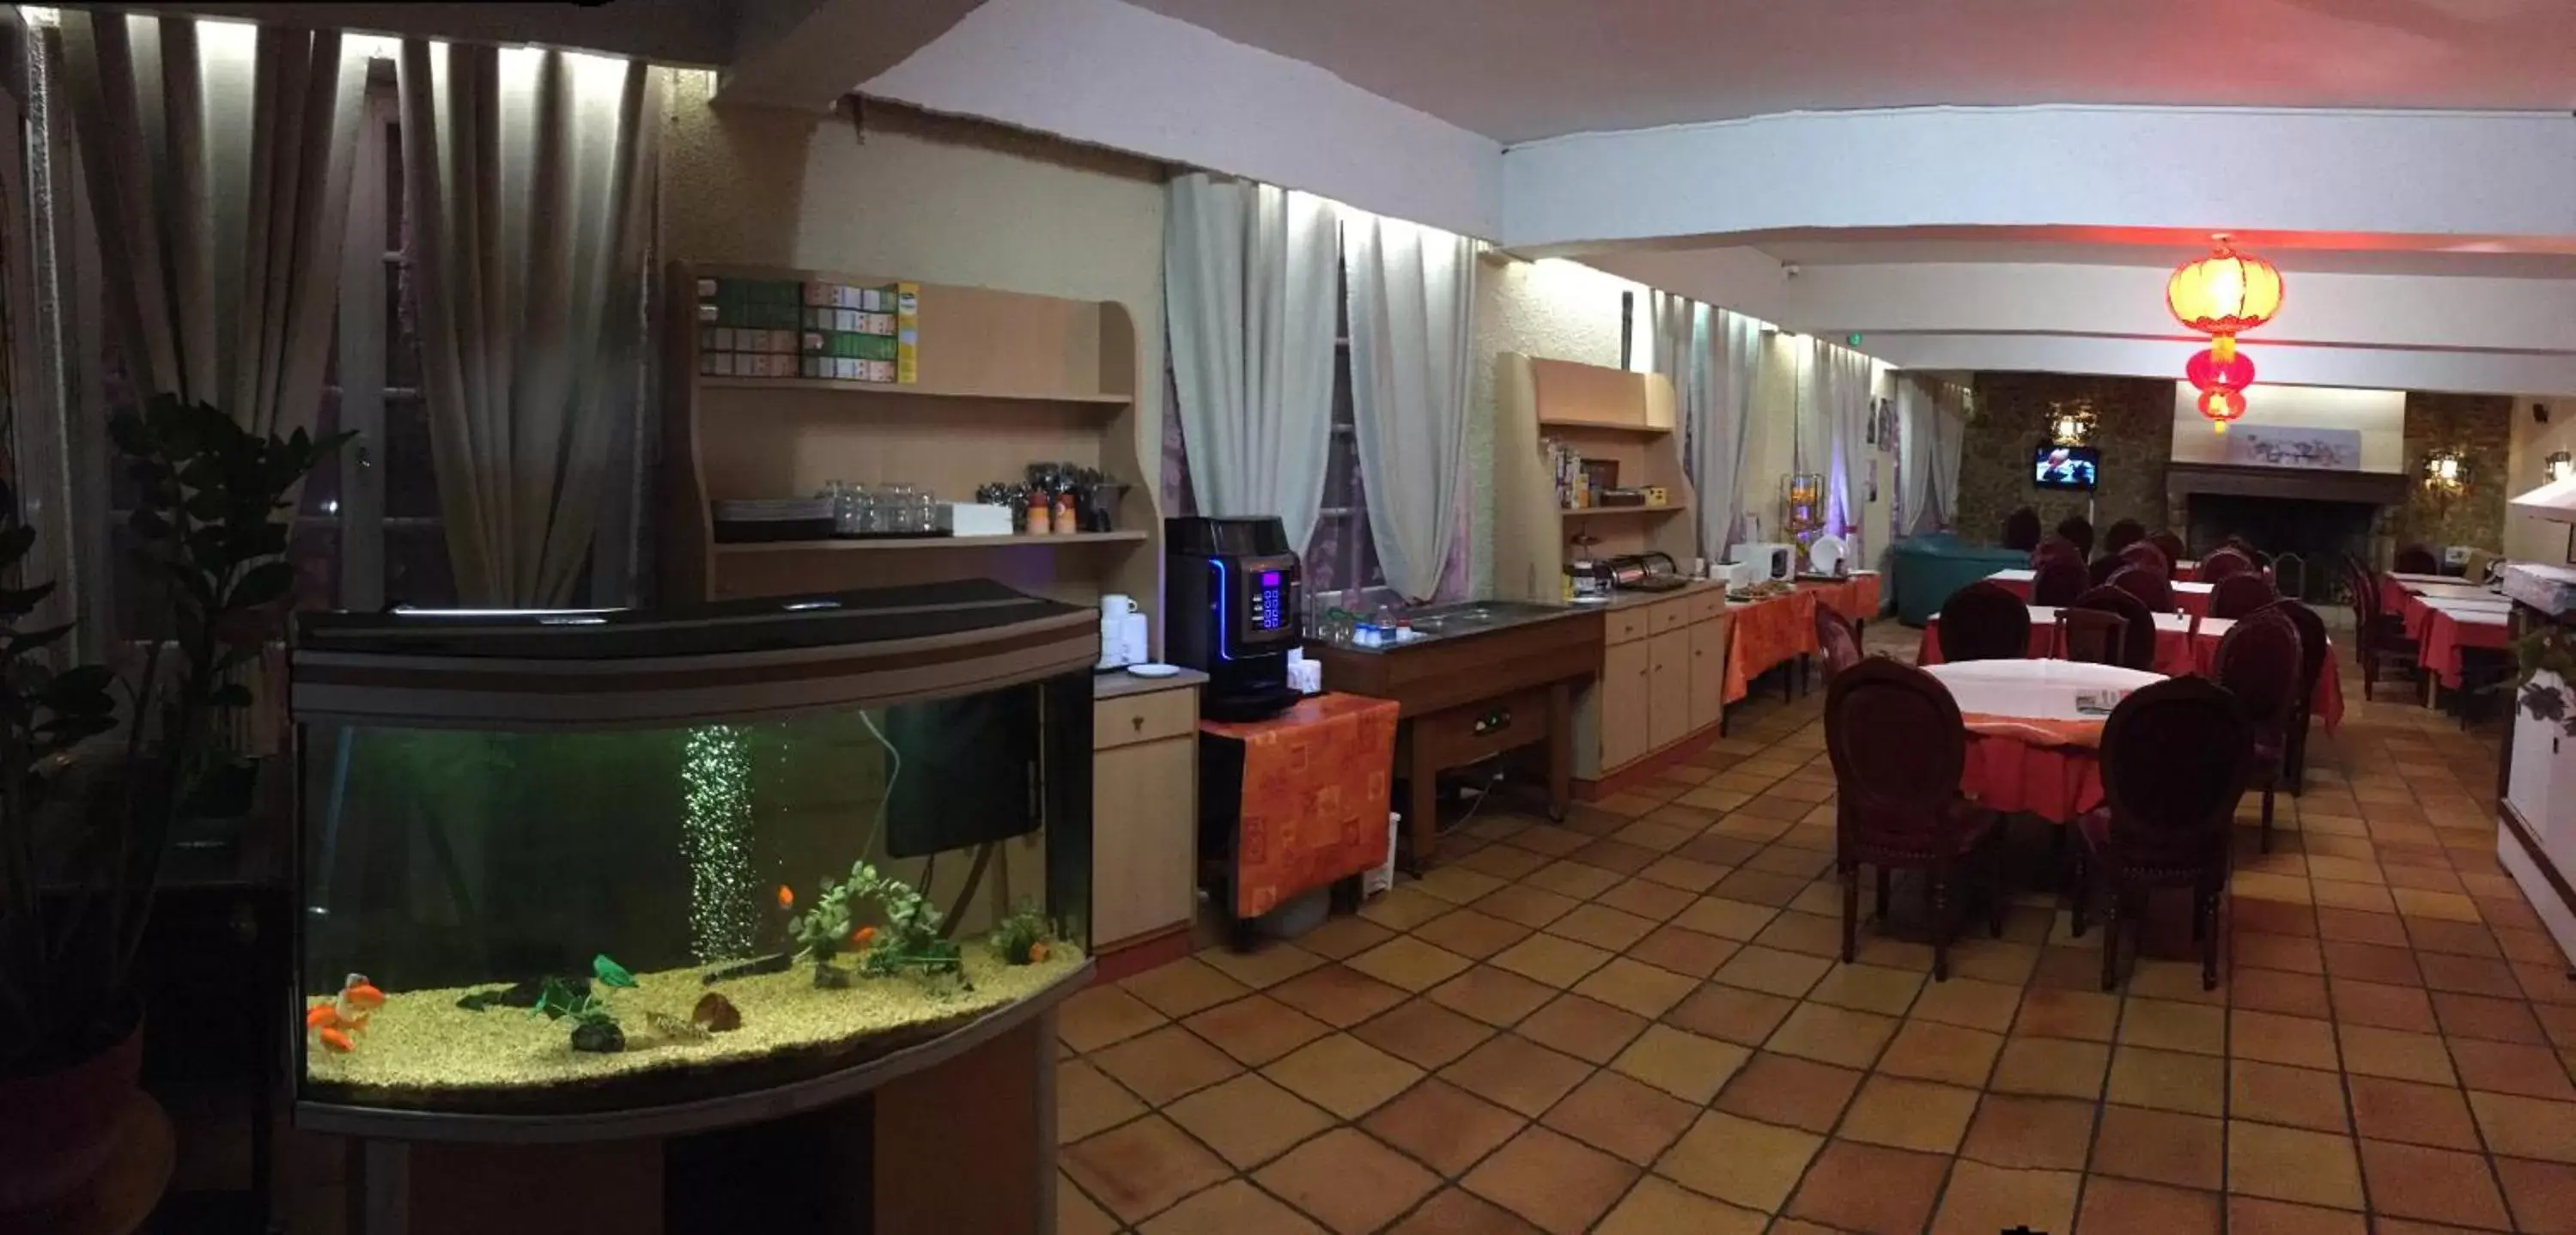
column 367, row 530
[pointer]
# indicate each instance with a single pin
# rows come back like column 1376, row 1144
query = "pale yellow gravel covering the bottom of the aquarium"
column 421, row 1043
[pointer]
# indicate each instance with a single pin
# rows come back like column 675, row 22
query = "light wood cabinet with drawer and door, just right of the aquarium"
column 1145, row 816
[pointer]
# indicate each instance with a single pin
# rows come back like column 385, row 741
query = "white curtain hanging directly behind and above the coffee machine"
column 1248, row 277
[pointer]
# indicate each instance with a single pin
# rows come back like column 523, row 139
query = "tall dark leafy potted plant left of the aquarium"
column 79, row 873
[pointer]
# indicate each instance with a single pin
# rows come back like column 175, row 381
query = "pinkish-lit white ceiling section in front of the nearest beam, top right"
column 1537, row 68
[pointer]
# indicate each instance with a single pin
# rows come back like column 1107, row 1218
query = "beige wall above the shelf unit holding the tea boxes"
column 918, row 197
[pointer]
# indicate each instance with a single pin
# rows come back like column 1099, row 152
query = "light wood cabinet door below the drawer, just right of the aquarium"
column 1145, row 839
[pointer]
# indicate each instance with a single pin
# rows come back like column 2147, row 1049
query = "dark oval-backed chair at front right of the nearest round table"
column 2173, row 772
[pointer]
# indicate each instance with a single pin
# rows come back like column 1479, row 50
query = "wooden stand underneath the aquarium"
column 954, row 1136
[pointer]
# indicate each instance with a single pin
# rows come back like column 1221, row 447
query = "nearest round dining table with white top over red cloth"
column 2036, row 731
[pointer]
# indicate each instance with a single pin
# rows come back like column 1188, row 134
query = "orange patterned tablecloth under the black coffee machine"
column 1315, row 795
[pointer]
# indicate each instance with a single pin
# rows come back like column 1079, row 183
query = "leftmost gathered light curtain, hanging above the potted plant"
column 218, row 159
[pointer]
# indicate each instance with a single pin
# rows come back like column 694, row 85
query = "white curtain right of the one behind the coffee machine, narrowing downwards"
column 1413, row 295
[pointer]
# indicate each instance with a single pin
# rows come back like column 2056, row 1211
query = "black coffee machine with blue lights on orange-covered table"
column 1233, row 612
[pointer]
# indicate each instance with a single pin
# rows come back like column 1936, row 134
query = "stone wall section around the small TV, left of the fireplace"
column 2134, row 432
